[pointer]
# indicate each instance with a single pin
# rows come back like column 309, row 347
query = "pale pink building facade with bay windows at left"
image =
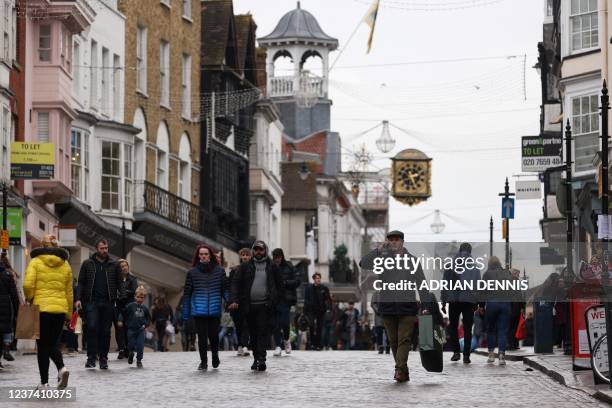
column 48, row 101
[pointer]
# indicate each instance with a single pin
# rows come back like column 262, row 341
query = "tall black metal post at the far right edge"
column 605, row 107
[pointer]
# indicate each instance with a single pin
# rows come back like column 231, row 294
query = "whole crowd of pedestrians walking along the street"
column 251, row 309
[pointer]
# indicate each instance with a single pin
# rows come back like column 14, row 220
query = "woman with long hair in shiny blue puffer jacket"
column 206, row 286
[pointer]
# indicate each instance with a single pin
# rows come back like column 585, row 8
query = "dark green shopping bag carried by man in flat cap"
column 431, row 342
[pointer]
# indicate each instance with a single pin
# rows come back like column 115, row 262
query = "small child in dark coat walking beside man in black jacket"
column 136, row 317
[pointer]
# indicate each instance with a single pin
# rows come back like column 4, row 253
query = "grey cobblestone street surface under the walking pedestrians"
column 303, row 379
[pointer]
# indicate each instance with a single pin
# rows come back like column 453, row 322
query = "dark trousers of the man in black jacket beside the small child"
column 99, row 321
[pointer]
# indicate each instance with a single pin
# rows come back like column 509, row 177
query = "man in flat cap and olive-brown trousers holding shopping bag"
column 399, row 309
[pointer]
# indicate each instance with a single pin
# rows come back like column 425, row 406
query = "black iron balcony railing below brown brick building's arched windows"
column 152, row 198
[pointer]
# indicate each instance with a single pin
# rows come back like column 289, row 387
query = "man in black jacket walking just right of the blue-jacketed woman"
column 256, row 290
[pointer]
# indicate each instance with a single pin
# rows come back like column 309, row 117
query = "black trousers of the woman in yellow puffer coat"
column 51, row 325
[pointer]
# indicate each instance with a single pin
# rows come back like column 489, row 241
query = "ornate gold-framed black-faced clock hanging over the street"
column 411, row 177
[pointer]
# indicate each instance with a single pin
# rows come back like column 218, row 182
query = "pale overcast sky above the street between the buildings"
column 454, row 80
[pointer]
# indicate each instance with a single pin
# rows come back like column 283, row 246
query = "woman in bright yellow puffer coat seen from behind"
column 48, row 284
